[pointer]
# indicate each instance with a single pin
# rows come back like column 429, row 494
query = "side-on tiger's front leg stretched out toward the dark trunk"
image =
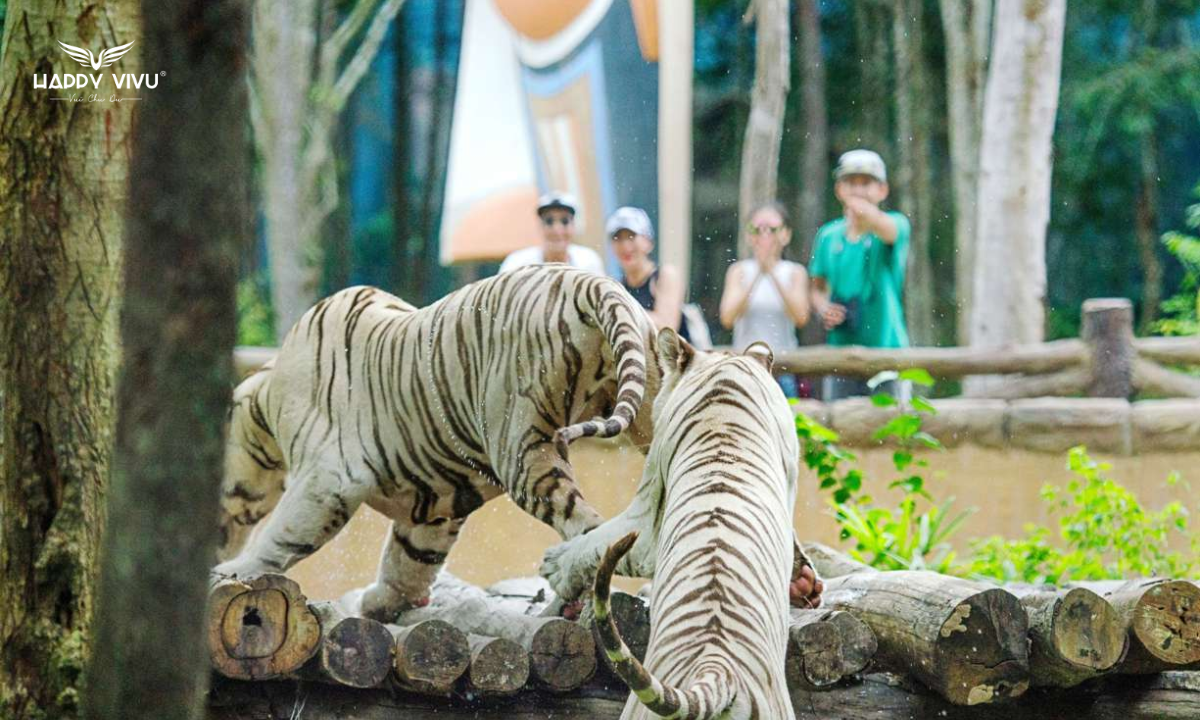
column 316, row 506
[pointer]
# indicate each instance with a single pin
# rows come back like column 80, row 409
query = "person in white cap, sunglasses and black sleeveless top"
column 659, row 290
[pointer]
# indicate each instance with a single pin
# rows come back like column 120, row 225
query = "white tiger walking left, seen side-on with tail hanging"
column 427, row 415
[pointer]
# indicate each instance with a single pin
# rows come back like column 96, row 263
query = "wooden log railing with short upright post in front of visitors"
column 1107, row 362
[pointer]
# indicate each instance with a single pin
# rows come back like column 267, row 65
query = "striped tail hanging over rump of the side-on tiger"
column 616, row 314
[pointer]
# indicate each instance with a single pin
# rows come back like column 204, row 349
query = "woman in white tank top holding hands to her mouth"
column 766, row 298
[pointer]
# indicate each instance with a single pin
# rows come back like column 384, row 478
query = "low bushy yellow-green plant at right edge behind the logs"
column 1105, row 533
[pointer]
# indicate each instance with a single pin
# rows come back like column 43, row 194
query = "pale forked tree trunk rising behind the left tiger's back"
column 301, row 82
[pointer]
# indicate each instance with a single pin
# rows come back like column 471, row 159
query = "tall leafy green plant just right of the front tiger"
column 905, row 537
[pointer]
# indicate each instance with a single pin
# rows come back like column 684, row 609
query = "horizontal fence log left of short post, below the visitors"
column 941, row 363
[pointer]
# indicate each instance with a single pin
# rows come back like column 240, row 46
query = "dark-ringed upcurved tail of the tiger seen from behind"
column 707, row 698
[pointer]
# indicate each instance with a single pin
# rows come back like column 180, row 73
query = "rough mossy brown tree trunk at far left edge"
column 63, row 191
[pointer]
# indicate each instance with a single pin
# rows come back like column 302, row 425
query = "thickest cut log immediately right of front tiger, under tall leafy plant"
column 964, row 640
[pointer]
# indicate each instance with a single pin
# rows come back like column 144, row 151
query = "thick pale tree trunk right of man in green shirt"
column 1015, row 173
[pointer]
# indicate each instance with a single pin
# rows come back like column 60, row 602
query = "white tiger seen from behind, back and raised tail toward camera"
column 712, row 524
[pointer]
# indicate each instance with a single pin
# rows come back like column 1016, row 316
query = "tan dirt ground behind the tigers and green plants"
column 501, row 542
